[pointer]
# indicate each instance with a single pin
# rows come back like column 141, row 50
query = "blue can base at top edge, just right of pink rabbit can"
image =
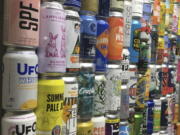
column 73, row 3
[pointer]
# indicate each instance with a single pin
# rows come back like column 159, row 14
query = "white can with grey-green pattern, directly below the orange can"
column 113, row 88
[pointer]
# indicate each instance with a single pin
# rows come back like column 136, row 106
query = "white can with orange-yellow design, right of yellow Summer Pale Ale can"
column 70, row 105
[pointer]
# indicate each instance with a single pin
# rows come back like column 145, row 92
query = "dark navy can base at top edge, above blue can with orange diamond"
column 104, row 6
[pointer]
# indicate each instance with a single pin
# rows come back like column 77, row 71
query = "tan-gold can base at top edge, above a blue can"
column 91, row 6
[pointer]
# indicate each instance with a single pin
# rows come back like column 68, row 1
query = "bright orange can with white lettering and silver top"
column 116, row 36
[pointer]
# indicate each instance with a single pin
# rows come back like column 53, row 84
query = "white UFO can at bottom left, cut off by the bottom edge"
column 18, row 123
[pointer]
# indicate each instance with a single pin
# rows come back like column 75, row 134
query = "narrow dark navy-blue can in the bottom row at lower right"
column 149, row 116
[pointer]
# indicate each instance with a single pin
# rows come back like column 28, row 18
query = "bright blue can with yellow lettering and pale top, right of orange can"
column 135, row 41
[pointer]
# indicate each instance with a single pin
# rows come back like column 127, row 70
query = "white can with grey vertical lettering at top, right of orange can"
column 127, row 13
